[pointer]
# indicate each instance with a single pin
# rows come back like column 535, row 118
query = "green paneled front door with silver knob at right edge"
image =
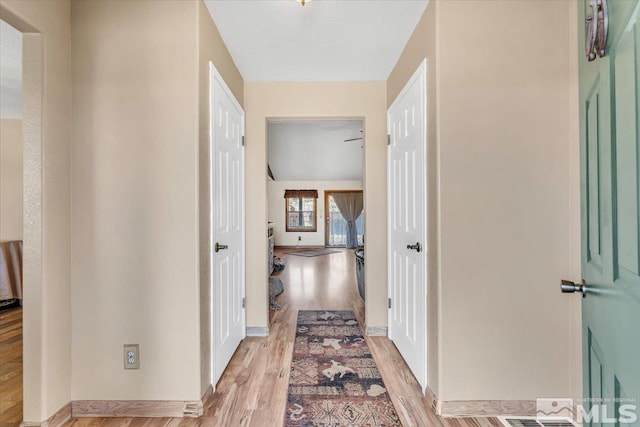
column 610, row 181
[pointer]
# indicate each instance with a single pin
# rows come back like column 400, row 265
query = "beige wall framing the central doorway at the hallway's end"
column 263, row 100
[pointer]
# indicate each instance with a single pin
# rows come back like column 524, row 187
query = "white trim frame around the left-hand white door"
column 215, row 74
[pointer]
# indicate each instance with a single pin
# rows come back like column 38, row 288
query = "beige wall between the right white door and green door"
column 508, row 197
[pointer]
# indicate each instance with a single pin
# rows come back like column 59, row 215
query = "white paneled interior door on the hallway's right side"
column 406, row 190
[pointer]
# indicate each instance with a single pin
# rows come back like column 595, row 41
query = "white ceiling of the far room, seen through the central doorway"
column 315, row 150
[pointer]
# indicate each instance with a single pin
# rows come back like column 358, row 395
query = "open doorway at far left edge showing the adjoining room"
column 11, row 222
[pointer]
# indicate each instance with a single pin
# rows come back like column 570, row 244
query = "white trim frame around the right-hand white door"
column 420, row 72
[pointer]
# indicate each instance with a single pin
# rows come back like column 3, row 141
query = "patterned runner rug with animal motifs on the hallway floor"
column 334, row 380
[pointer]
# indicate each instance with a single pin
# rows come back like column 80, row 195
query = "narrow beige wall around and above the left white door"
column 210, row 48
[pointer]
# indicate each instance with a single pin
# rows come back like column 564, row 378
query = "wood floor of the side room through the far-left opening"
column 11, row 367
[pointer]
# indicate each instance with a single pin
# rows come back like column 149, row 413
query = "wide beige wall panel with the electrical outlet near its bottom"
column 135, row 199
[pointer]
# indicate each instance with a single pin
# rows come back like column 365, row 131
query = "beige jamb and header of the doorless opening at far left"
column 34, row 58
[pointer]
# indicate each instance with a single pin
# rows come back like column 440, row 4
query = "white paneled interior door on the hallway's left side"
column 227, row 223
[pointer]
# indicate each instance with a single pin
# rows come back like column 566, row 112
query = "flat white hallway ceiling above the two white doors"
column 325, row 40
